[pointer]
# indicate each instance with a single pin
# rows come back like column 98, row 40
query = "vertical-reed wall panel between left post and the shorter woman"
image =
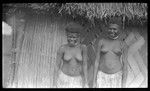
column 41, row 42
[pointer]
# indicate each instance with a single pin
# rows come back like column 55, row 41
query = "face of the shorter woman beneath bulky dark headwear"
column 73, row 38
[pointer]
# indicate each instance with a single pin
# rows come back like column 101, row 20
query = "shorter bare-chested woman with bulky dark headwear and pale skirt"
column 71, row 64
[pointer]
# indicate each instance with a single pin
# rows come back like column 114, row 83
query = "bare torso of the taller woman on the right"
column 110, row 57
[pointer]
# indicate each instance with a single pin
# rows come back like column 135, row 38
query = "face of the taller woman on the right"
column 113, row 32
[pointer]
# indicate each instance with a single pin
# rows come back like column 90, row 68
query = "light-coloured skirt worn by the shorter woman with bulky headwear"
column 65, row 81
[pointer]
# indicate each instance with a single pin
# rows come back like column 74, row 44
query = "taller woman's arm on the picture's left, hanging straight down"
column 97, row 62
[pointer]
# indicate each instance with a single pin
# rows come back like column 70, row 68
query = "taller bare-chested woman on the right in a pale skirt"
column 110, row 70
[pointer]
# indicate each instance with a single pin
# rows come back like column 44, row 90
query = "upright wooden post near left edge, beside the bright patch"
column 17, row 40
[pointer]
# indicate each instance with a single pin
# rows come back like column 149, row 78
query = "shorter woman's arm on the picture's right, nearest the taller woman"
column 85, row 64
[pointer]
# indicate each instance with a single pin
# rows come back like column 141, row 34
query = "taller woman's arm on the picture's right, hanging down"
column 124, row 61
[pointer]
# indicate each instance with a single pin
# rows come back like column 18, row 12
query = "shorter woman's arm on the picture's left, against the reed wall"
column 58, row 64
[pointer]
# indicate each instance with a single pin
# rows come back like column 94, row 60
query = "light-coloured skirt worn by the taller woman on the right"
column 105, row 80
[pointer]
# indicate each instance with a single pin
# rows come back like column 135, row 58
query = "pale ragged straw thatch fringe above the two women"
column 100, row 10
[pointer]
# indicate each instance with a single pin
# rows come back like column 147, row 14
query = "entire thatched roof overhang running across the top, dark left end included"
column 129, row 11
